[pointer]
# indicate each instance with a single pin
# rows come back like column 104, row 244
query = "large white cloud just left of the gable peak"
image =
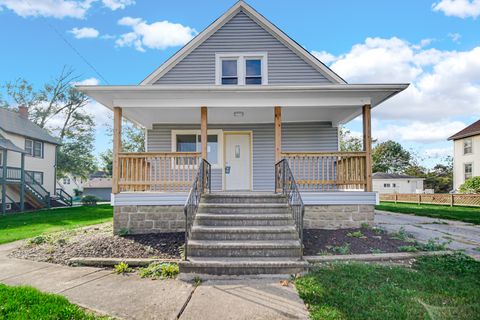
column 158, row 35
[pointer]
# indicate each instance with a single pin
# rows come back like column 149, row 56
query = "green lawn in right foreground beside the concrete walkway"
column 446, row 287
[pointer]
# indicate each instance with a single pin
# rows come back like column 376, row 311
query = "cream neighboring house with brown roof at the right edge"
column 466, row 154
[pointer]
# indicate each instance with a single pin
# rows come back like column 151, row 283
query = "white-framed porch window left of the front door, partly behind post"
column 191, row 141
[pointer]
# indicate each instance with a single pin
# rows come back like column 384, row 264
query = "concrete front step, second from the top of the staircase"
column 243, row 208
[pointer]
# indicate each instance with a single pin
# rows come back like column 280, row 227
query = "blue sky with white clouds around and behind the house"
column 434, row 44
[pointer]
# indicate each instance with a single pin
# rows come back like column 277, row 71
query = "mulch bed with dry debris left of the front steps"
column 99, row 242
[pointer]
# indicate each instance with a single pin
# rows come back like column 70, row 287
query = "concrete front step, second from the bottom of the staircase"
column 267, row 248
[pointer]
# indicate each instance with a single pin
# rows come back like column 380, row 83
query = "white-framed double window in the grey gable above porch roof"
column 241, row 69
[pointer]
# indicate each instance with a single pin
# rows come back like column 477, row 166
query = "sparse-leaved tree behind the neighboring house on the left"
column 60, row 109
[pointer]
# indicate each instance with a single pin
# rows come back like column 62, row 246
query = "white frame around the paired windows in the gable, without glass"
column 241, row 67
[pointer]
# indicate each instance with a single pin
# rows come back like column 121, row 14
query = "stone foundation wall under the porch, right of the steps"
column 337, row 216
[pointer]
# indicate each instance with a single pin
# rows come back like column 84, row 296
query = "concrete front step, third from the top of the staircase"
column 208, row 219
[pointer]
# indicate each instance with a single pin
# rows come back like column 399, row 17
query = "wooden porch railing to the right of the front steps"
column 328, row 171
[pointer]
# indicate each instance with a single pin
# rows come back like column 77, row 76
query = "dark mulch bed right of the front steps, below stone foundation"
column 321, row 242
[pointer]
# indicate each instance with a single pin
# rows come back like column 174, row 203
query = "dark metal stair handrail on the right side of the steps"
column 286, row 185
